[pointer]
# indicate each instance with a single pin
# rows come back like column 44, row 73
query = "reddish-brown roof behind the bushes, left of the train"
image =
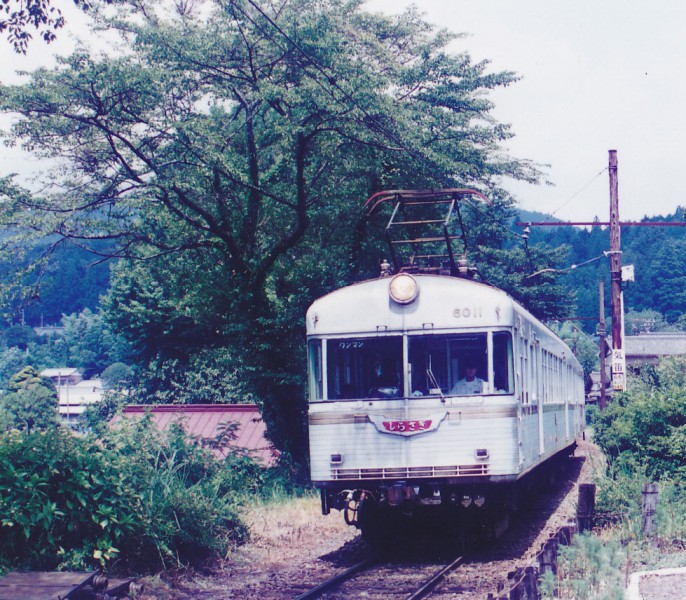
column 204, row 420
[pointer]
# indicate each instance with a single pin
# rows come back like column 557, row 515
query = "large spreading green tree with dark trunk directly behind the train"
column 225, row 158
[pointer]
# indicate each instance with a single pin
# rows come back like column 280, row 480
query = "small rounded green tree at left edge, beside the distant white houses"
column 31, row 402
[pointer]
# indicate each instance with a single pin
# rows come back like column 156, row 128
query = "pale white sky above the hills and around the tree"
column 595, row 75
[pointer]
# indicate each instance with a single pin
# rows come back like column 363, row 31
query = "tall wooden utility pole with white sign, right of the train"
column 618, row 361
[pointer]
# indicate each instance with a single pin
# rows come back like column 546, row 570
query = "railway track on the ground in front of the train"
column 388, row 579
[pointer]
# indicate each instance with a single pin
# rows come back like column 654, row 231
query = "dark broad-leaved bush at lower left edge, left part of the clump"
column 60, row 494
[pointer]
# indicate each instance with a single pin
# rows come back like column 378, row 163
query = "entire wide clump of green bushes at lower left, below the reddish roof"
column 139, row 498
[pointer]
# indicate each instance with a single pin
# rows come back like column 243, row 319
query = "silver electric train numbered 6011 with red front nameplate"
column 433, row 396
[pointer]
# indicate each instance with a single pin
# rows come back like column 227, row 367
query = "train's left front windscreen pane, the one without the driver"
column 364, row 368
